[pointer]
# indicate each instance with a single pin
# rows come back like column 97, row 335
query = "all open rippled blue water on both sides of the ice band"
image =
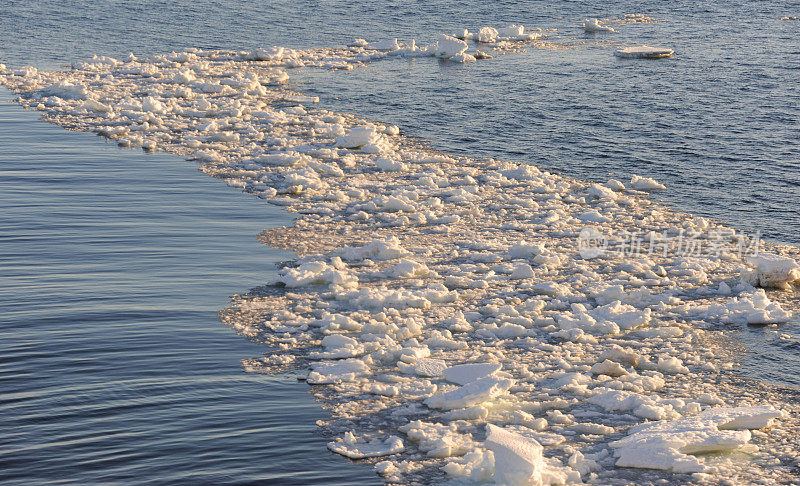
column 114, row 365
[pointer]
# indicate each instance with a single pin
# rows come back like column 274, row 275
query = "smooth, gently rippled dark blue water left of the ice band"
column 113, row 364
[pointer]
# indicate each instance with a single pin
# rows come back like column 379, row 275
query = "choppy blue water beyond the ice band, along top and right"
column 719, row 123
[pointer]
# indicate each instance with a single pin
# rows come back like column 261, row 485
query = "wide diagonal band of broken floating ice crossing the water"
column 413, row 263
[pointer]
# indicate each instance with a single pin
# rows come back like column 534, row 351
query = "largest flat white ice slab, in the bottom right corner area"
column 668, row 445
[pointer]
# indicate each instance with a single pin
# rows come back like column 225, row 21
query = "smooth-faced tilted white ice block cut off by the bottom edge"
column 518, row 460
